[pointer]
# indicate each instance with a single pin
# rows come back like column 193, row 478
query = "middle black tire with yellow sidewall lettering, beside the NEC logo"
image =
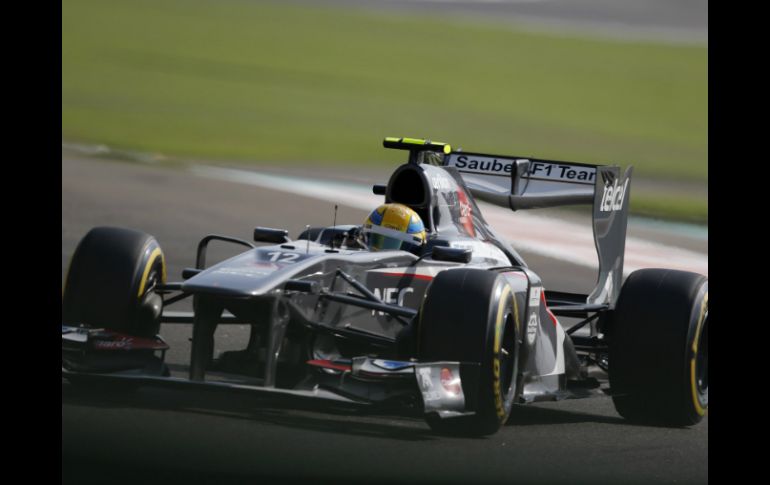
column 470, row 315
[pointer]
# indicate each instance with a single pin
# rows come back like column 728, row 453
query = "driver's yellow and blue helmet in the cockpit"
column 393, row 226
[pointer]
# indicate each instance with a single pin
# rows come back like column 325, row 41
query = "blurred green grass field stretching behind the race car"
column 261, row 81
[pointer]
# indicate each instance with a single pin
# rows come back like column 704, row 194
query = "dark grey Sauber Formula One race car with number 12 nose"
column 439, row 315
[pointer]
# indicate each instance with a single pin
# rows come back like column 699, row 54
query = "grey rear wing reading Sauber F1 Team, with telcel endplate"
column 527, row 183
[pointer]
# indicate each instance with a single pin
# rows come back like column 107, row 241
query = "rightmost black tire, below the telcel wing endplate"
column 658, row 352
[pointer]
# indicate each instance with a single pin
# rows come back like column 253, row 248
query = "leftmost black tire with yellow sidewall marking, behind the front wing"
column 111, row 279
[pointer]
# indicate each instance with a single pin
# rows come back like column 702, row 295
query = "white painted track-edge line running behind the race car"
column 548, row 236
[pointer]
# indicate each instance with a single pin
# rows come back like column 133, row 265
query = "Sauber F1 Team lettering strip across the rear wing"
column 538, row 170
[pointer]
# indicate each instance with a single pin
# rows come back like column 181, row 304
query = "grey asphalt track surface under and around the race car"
column 171, row 436
